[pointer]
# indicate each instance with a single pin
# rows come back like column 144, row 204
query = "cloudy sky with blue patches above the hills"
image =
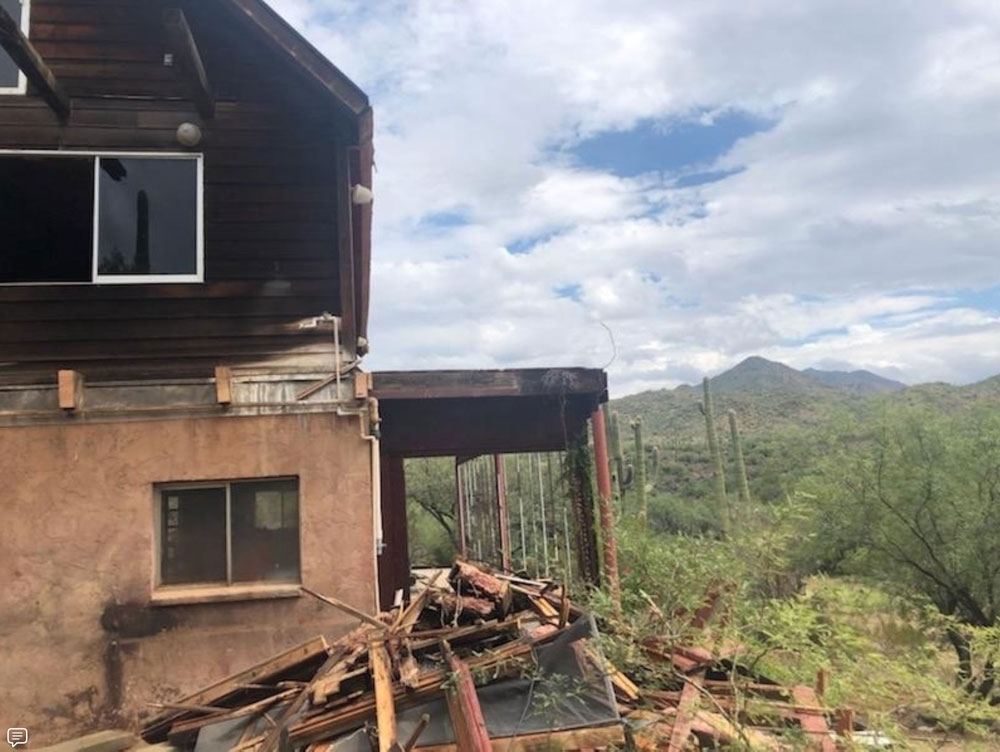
column 666, row 188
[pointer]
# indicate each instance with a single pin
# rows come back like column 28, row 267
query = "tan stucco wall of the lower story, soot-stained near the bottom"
column 77, row 535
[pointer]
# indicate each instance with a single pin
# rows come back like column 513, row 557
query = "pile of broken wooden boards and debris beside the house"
column 486, row 661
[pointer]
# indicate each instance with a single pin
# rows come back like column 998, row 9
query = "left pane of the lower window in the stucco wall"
column 193, row 530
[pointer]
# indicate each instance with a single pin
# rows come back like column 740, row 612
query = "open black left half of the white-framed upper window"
column 46, row 219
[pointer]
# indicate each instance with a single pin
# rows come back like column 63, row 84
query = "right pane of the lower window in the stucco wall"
column 265, row 528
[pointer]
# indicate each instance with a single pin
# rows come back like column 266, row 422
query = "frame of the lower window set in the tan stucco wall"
column 161, row 490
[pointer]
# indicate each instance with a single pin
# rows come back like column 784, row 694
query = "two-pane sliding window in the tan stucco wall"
column 228, row 533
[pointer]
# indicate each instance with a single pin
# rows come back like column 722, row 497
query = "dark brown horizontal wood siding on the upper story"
column 270, row 199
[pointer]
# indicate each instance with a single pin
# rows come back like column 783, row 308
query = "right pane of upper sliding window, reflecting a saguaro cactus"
column 147, row 217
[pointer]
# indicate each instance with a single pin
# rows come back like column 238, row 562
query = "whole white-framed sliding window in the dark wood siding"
column 110, row 218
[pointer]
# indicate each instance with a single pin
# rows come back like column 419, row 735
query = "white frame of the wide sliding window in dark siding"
column 128, row 279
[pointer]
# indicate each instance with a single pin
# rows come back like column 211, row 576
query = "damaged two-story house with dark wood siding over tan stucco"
column 186, row 435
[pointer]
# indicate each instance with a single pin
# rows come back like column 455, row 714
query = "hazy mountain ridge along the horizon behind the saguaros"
column 768, row 396
